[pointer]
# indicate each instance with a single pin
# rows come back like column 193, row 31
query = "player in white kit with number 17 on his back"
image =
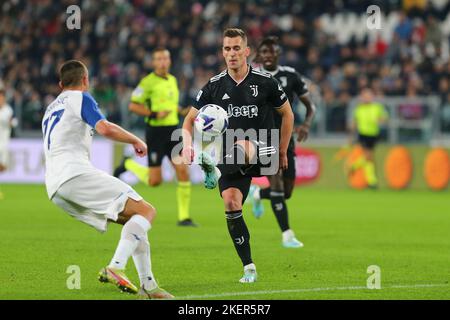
column 91, row 195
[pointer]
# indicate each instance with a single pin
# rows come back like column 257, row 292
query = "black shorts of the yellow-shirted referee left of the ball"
column 159, row 144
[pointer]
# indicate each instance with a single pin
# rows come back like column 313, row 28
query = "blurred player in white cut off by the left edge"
column 6, row 123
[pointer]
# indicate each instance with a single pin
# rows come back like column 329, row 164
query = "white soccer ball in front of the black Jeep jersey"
column 211, row 121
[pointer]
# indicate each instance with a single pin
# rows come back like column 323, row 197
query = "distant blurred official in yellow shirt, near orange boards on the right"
column 367, row 119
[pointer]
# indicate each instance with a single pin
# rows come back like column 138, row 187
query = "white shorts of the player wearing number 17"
column 94, row 198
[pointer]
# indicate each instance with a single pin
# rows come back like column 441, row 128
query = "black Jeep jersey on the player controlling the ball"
column 249, row 104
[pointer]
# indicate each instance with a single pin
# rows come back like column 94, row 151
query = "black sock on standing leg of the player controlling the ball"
column 240, row 235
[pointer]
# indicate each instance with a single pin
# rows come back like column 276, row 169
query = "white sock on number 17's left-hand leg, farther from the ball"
column 132, row 232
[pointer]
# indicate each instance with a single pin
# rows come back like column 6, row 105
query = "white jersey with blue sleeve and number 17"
column 67, row 127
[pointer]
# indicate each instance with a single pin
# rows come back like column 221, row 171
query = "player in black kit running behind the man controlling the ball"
column 282, row 184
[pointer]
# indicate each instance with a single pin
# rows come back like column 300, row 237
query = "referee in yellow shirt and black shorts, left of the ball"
column 156, row 97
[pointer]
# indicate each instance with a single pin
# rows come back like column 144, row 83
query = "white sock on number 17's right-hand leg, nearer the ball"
column 142, row 261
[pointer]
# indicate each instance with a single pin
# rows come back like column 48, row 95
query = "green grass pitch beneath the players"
column 406, row 234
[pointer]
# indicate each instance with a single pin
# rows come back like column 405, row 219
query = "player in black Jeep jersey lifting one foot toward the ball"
column 250, row 97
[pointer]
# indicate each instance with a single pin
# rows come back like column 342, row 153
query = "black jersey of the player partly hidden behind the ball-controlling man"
column 292, row 83
